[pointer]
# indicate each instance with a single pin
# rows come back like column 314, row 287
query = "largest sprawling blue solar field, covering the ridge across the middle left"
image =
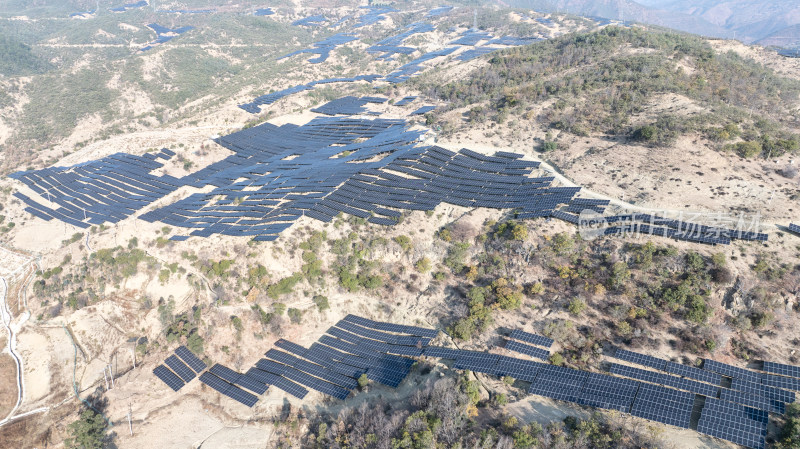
column 258, row 193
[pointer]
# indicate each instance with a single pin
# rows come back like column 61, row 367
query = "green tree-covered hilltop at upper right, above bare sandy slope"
column 597, row 87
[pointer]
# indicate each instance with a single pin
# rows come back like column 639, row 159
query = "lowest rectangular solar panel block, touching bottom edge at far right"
column 733, row 422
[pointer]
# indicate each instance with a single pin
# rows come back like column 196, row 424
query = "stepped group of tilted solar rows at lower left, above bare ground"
column 354, row 346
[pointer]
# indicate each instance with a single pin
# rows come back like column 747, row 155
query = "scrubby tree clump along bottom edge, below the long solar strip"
column 444, row 414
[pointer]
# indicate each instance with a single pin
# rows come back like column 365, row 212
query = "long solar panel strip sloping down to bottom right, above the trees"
column 732, row 417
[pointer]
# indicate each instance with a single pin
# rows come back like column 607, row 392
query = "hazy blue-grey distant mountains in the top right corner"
column 747, row 20
